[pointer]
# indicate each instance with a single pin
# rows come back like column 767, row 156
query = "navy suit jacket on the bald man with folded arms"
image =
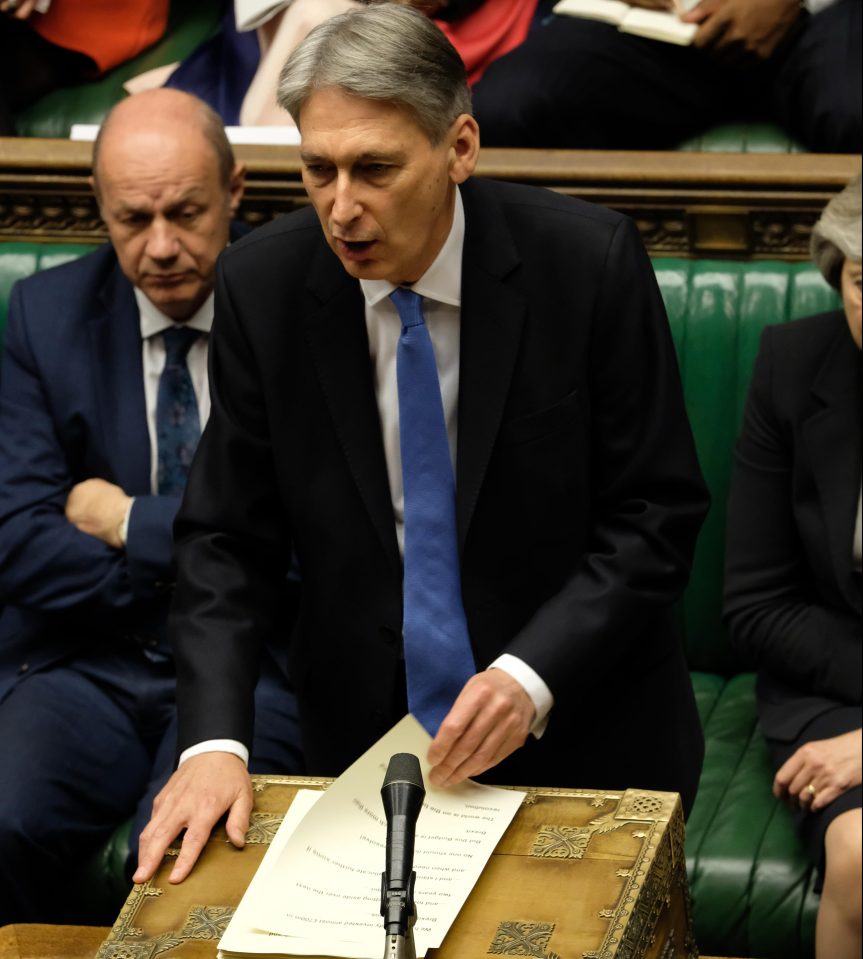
column 72, row 408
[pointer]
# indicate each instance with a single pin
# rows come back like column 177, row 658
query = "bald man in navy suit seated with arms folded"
column 88, row 495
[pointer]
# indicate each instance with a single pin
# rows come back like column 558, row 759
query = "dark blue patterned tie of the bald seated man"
column 178, row 427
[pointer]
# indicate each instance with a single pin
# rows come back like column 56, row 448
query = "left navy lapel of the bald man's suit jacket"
column 115, row 344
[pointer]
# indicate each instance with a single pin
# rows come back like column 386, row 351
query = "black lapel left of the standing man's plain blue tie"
column 335, row 326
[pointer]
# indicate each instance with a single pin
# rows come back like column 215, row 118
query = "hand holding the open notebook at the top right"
column 755, row 27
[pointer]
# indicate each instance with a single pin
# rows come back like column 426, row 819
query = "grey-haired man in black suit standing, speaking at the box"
column 578, row 496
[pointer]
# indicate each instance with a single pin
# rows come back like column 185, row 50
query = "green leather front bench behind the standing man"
column 750, row 882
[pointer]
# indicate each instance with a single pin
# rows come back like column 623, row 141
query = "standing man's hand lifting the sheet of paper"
column 490, row 719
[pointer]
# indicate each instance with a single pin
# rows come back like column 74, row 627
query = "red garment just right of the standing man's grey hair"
column 494, row 29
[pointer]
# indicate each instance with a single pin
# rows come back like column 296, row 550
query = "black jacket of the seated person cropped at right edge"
column 791, row 598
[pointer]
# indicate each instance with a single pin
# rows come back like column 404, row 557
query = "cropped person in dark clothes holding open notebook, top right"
column 583, row 84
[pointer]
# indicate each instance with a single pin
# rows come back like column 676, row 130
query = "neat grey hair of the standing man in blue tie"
column 386, row 52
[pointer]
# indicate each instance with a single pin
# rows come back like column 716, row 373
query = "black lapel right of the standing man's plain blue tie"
column 492, row 315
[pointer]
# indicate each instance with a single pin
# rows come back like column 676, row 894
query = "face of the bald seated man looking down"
column 167, row 214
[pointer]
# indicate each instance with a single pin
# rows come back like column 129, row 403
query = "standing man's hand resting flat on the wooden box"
column 194, row 799
